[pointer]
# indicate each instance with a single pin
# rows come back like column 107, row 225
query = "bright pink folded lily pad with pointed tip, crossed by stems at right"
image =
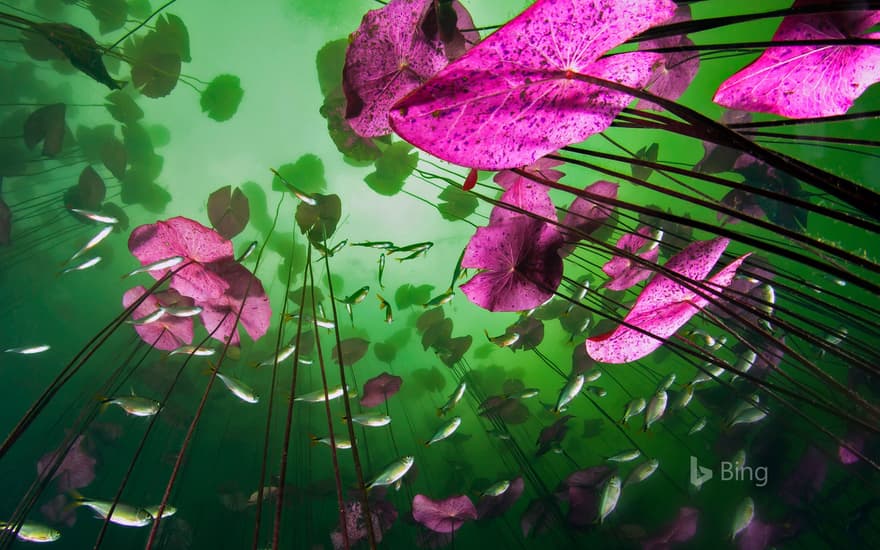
column 665, row 305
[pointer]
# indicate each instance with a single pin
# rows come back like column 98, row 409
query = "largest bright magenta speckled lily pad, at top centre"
column 512, row 99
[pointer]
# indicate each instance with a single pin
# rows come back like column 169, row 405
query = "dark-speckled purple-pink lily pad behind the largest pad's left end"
column 388, row 56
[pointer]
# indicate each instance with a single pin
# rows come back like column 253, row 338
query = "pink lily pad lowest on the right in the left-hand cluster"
column 243, row 288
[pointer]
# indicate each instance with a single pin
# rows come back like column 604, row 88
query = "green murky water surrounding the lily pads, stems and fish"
column 271, row 47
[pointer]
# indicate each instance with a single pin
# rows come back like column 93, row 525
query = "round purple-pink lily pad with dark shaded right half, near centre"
column 520, row 264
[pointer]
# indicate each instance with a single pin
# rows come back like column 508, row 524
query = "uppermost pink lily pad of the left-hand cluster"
column 194, row 242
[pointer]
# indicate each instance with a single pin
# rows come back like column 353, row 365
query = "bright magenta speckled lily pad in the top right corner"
column 808, row 81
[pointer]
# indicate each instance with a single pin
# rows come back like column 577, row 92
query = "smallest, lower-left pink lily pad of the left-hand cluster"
column 168, row 332
